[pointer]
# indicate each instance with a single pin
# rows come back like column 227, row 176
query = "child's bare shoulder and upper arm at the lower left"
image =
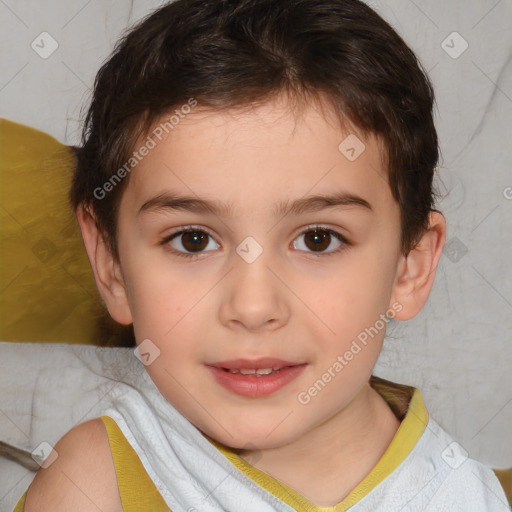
column 82, row 478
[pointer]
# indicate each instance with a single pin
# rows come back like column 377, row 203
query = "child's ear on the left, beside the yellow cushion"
column 107, row 272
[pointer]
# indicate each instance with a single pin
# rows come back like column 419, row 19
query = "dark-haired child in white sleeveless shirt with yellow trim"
column 255, row 195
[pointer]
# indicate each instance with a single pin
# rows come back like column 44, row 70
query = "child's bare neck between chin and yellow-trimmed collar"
column 358, row 435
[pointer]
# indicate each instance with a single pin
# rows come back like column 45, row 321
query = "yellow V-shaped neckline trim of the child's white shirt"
column 407, row 435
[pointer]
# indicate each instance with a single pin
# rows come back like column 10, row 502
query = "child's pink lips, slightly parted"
column 251, row 385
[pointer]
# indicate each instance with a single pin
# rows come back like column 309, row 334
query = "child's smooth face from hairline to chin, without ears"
column 291, row 302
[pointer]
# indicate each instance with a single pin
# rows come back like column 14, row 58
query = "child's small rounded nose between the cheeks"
column 255, row 298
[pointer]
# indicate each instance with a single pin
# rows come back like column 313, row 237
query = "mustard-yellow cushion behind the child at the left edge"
column 46, row 282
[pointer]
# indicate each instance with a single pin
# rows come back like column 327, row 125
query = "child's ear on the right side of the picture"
column 417, row 270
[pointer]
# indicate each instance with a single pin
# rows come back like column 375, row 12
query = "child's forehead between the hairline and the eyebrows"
column 247, row 159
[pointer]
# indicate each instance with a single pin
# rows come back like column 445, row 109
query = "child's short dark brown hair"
column 234, row 53
